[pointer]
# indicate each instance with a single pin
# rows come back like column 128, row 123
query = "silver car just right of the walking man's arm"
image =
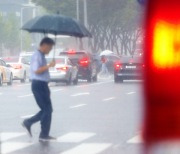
column 64, row 71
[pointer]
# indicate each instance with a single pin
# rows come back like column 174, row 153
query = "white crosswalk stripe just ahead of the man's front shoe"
column 75, row 137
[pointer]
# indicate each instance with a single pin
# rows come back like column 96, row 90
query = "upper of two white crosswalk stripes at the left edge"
column 7, row 136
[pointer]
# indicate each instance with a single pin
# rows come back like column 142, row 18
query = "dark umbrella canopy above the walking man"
column 56, row 25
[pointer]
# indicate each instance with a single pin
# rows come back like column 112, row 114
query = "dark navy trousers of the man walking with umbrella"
column 41, row 93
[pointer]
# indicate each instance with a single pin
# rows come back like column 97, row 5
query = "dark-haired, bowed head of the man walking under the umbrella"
column 46, row 45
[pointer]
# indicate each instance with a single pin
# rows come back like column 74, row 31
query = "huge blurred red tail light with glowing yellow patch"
column 162, row 73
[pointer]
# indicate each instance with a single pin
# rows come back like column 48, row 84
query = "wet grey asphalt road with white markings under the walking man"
column 96, row 118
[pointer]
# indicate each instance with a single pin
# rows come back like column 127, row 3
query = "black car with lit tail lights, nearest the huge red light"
column 128, row 68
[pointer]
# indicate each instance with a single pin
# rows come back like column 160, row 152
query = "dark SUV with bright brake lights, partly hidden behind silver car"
column 87, row 69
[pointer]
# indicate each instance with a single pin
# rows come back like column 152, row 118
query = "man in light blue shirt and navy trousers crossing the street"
column 40, row 78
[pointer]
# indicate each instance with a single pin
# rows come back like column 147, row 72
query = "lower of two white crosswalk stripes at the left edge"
column 10, row 147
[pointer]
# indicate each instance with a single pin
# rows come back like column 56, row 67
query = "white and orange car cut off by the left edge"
column 6, row 75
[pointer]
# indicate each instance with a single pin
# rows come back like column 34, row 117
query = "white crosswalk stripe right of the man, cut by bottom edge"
column 90, row 148
